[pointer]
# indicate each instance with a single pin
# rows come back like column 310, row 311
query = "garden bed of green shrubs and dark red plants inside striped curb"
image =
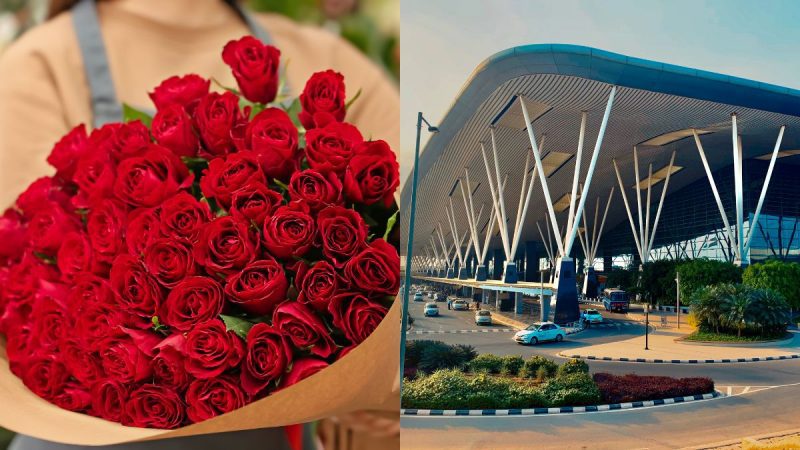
column 441, row 376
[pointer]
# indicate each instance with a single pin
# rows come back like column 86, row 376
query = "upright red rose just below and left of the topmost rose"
column 216, row 115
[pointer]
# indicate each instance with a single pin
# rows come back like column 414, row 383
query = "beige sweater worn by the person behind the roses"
column 44, row 93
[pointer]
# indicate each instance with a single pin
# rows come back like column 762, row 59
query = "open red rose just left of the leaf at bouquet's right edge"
column 343, row 233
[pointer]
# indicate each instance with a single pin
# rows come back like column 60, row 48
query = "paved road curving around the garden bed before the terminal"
column 756, row 412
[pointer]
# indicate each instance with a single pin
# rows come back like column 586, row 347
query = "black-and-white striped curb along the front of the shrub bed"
column 557, row 410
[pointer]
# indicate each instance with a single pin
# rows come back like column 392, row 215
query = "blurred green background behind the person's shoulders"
column 372, row 26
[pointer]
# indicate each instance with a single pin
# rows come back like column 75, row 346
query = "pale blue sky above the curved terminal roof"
column 442, row 41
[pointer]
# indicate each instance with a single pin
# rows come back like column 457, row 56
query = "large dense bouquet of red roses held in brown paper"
column 179, row 268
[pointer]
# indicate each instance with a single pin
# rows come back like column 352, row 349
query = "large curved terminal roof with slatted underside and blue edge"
column 655, row 105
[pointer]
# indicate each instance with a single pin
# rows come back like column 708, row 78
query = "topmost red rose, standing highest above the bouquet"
column 255, row 67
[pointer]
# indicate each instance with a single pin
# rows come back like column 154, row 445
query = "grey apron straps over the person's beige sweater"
column 105, row 105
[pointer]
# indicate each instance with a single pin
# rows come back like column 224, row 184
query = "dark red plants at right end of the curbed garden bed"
column 631, row 388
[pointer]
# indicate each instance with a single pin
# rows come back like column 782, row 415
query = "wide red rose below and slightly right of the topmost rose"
column 273, row 137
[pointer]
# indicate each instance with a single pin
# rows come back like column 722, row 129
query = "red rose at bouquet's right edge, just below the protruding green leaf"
column 376, row 270
